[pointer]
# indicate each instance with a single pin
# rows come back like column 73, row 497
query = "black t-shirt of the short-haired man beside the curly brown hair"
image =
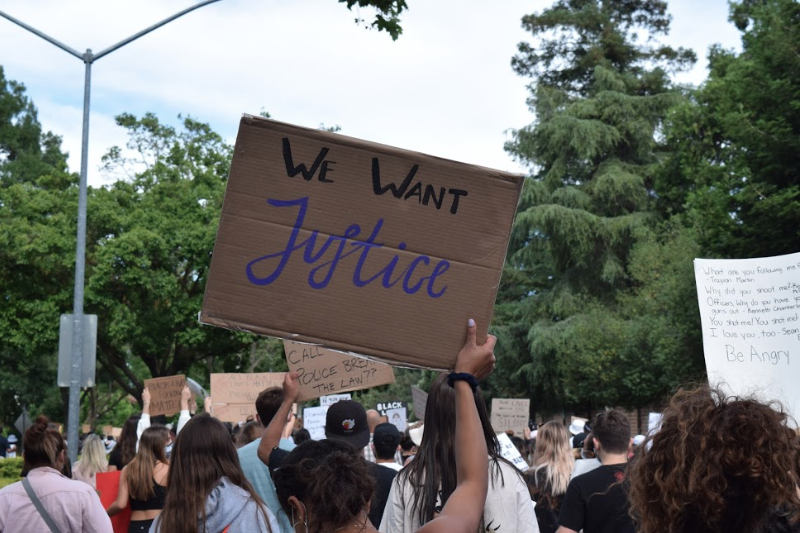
column 596, row 502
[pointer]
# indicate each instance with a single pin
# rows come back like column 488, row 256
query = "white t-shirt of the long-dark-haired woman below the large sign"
column 508, row 506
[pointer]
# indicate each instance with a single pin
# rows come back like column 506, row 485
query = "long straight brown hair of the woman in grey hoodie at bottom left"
column 203, row 454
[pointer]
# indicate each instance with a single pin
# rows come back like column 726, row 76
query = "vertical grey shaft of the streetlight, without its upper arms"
column 74, row 411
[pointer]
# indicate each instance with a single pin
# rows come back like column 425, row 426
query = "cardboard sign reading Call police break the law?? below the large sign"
column 325, row 372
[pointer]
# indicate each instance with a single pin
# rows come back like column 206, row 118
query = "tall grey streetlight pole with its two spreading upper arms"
column 80, row 250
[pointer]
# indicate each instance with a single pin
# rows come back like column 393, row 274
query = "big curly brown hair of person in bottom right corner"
column 719, row 463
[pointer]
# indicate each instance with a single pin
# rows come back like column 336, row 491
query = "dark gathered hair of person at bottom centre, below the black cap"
column 330, row 478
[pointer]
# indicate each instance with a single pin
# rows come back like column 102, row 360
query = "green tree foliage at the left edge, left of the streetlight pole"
column 38, row 202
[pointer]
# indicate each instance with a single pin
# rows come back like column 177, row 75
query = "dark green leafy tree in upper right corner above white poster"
column 736, row 164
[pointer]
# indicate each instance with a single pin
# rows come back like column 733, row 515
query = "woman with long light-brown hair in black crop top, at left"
column 143, row 481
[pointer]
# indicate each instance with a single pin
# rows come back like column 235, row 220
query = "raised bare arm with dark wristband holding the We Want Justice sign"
column 464, row 508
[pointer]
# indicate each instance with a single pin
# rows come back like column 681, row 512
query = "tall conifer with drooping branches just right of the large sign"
column 588, row 253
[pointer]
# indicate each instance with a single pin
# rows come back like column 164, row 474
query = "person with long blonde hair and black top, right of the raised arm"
column 548, row 477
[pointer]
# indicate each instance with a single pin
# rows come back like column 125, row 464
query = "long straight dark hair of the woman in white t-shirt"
column 435, row 461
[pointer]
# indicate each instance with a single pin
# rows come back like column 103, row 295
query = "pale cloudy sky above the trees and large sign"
column 445, row 87
